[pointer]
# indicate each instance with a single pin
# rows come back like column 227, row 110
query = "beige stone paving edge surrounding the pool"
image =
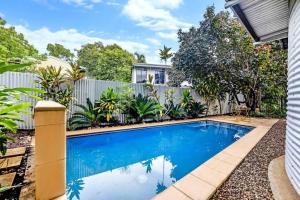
column 202, row 182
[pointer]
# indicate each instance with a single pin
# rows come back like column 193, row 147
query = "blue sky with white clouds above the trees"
column 142, row 26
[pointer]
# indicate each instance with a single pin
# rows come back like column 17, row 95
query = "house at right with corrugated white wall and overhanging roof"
column 268, row 20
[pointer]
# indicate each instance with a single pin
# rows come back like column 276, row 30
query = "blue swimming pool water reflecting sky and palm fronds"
column 140, row 163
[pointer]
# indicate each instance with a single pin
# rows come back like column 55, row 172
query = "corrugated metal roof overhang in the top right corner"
column 265, row 20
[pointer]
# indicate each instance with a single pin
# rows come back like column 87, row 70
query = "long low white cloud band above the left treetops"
column 72, row 39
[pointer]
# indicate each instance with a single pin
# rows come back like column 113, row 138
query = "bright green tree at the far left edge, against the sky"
column 13, row 45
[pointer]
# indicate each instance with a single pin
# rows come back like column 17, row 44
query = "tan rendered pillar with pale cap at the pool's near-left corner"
column 50, row 149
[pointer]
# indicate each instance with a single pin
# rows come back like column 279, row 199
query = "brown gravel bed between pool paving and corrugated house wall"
column 250, row 179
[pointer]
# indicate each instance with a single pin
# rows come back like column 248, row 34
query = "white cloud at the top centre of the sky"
column 154, row 14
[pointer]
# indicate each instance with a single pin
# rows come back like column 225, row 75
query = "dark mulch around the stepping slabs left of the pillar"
column 23, row 139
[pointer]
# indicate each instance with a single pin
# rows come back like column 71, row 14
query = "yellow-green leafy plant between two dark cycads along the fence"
column 108, row 103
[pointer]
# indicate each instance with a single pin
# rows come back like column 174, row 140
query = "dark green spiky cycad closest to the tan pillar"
column 88, row 116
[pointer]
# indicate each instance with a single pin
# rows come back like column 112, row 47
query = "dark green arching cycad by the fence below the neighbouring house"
column 144, row 108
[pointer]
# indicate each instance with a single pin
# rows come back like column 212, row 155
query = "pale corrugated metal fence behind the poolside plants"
column 89, row 88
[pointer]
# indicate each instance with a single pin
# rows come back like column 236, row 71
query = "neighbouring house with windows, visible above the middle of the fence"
column 142, row 71
